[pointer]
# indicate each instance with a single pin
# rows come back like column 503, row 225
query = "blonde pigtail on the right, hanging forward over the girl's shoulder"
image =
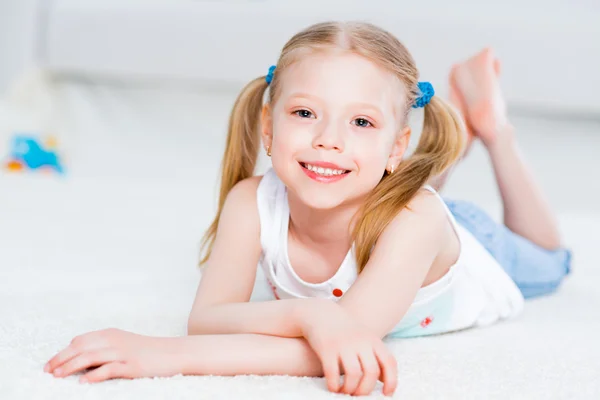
column 439, row 147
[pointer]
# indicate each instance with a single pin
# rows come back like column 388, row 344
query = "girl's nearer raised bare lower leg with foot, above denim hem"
column 526, row 211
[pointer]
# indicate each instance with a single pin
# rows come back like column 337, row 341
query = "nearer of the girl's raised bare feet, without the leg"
column 475, row 83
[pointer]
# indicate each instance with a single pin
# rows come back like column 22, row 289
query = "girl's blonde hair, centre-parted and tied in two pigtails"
column 440, row 144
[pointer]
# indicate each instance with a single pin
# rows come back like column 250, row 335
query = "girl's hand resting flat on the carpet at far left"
column 116, row 354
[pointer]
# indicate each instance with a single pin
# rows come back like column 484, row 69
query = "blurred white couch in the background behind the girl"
column 549, row 48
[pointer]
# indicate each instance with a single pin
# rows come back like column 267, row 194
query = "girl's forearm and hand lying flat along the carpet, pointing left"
column 121, row 354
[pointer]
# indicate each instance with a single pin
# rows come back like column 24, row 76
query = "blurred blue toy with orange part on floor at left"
column 28, row 153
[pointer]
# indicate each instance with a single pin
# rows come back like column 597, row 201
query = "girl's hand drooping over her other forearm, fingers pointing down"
column 342, row 344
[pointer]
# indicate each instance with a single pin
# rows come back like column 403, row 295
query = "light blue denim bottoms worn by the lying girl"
column 535, row 270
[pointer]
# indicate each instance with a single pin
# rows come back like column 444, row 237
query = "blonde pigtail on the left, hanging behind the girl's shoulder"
column 241, row 150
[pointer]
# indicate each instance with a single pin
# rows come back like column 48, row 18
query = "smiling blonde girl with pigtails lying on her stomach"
column 346, row 228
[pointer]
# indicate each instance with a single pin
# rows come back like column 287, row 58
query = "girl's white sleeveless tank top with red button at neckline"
column 475, row 291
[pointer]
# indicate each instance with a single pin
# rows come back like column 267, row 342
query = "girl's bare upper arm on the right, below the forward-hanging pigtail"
column 398, row 265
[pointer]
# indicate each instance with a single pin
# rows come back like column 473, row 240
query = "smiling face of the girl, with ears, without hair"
column 335, row 127
